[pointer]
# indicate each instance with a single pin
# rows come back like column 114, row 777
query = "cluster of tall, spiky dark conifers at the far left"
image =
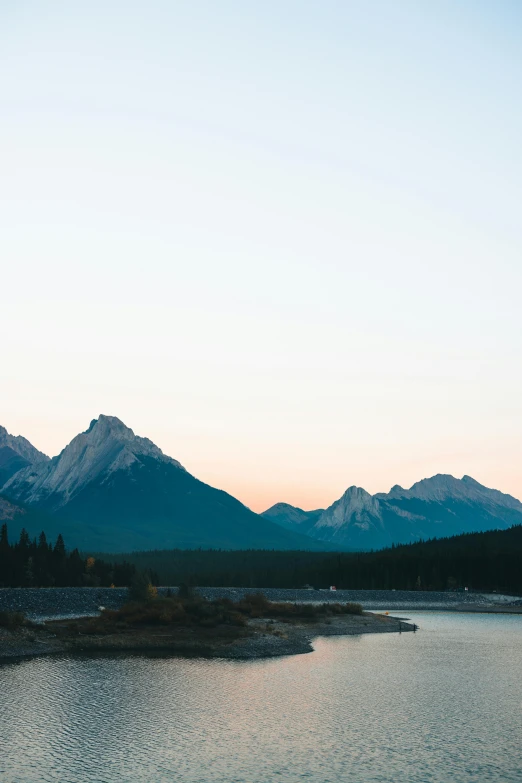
column 39, row 563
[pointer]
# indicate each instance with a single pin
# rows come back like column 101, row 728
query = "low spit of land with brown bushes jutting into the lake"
column 187, row 624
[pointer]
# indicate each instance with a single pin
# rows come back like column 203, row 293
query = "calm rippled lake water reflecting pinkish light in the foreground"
column 441, row 705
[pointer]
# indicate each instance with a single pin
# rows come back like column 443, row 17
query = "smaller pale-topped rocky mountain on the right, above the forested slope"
column 431, row 508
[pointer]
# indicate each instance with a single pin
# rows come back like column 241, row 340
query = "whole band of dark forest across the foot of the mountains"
column 479, row 561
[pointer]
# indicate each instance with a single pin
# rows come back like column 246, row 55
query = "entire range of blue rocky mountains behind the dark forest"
column 113, row 491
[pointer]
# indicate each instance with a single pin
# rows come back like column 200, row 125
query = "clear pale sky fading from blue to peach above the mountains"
column 280, row 239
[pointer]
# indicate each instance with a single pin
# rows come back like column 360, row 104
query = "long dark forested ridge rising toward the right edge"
column 480, row 561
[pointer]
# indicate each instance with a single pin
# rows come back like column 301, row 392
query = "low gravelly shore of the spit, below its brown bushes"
column 260, row 639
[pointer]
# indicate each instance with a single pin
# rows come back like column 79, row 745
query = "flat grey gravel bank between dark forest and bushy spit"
column 56, row 602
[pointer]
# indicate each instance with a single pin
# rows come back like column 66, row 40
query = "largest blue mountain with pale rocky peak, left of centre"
column 110, row 490
